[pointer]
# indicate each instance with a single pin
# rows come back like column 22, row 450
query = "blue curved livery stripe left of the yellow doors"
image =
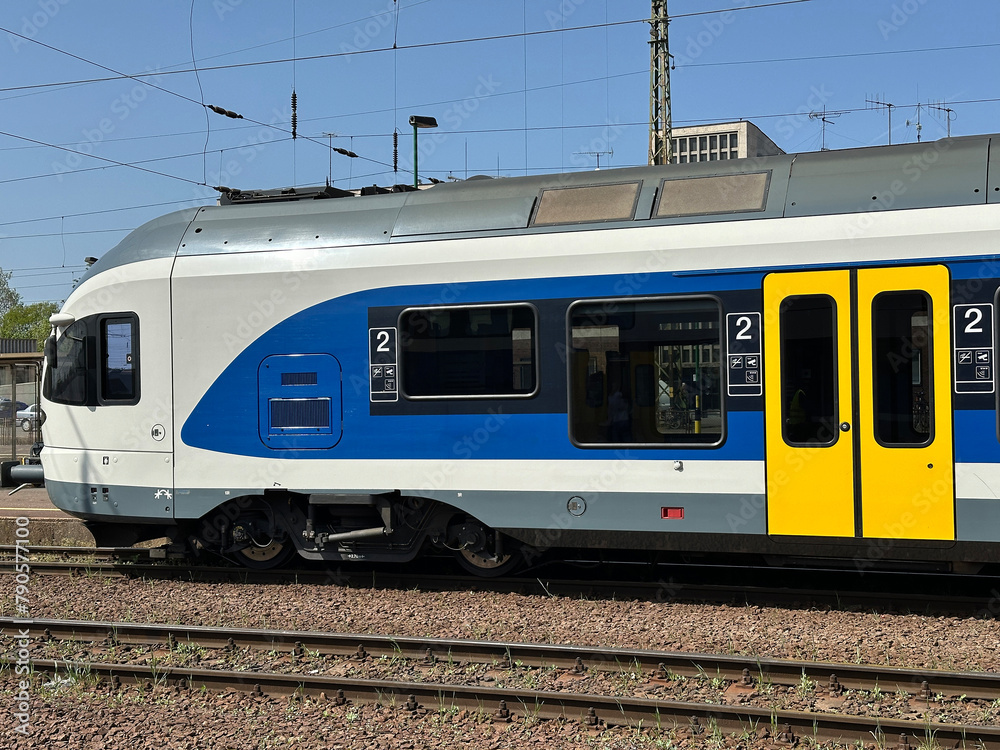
column 226, row 419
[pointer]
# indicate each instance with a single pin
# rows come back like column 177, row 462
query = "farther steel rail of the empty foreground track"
column 656, row 665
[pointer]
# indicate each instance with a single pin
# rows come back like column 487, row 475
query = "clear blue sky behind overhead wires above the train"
column 525, row 103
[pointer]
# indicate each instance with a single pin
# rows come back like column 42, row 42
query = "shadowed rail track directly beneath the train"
column 717, row 583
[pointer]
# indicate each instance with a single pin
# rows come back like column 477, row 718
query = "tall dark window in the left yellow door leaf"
column 809, row 409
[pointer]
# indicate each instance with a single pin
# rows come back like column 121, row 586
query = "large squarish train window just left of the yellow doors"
column 645, row 373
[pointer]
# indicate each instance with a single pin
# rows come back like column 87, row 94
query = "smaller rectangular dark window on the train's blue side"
column 484, row 351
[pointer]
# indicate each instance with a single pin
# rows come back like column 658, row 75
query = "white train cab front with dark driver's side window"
column 108, row 453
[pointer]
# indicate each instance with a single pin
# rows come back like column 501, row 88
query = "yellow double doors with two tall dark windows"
column 858, row 404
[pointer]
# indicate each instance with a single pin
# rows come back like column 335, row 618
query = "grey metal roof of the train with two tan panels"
column 949, row 172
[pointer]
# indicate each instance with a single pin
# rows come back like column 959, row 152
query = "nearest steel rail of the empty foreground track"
column 594, row 710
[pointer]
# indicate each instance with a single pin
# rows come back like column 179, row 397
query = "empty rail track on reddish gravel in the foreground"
column 507, row 703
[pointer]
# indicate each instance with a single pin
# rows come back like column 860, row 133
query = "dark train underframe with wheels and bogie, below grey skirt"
column 268, row 530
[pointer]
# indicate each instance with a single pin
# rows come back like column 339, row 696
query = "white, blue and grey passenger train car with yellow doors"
column 791, row 357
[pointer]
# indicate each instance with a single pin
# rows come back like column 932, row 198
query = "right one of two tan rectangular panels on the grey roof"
column 694, row 196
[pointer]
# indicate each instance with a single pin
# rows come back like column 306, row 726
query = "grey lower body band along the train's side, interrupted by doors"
column 713, row 523
